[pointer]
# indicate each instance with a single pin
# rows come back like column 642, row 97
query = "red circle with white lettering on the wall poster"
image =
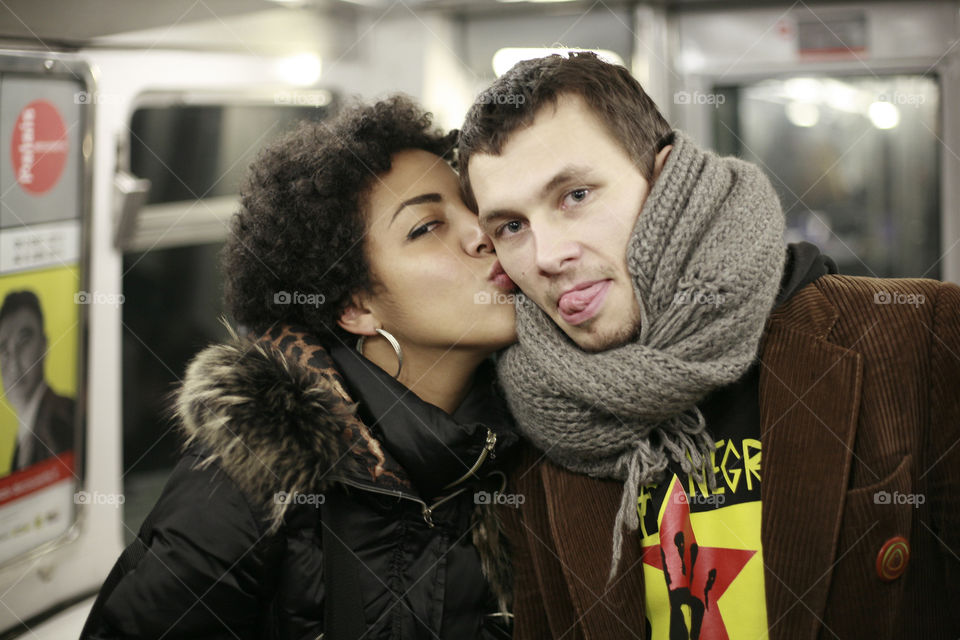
column 39, row 147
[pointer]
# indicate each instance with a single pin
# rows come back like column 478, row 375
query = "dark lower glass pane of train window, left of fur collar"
column 171, row 309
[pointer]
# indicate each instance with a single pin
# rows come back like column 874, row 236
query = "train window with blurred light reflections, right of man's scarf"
column 854, row 161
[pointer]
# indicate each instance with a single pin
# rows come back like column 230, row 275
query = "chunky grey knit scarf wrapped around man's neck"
column 706, row 256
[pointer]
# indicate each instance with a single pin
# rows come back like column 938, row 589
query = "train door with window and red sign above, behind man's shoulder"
column 851, row 111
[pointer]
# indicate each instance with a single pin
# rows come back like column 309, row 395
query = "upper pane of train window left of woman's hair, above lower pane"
column 193, row 148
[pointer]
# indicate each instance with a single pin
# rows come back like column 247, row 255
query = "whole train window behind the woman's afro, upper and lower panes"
column 194, row 153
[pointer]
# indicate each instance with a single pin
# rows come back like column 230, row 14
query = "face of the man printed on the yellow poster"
column 22, row 347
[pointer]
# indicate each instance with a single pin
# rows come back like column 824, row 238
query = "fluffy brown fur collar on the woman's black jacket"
column 273, row 413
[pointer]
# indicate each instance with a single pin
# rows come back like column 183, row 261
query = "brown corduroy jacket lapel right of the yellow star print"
column 809, row 400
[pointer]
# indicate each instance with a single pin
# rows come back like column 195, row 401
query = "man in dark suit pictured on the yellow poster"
column 45, row 419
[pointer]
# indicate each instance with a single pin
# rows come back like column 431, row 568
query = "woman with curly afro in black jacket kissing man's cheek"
column 340, row 457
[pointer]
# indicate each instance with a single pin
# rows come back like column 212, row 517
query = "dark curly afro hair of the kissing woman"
column 296, row 252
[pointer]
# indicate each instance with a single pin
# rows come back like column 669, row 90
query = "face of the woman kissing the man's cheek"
column 440, row 285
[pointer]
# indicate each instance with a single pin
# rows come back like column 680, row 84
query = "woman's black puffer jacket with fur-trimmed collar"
column 279, row 469
